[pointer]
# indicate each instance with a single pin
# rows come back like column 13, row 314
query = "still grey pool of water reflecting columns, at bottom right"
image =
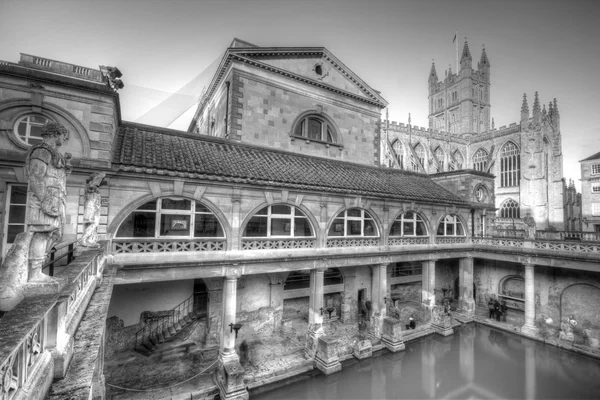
column 477, row 362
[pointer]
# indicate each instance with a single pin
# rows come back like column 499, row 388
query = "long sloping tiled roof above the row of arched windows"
column 151, row 150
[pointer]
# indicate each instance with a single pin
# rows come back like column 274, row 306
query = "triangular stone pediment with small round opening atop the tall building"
column 315, row 64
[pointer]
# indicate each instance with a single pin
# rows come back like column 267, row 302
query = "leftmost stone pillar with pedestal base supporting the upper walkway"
column 230, row 374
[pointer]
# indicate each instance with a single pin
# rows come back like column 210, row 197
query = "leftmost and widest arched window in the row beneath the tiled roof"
column 172, row 218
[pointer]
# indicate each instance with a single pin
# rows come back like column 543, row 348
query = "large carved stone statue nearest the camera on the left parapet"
column 47, row 171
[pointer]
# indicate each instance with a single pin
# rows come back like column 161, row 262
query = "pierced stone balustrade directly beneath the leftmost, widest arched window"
column 120, row 246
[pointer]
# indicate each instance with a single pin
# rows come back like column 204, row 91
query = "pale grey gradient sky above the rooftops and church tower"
column 166, row 47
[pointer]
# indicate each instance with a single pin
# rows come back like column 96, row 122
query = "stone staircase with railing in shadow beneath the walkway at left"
column 165, row 328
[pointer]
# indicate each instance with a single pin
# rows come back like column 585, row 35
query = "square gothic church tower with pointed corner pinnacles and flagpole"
column 460, row 104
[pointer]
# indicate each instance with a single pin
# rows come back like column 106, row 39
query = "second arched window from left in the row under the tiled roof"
column 278, row 221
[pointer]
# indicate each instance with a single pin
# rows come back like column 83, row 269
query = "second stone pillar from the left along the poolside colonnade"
column 315, row 317
